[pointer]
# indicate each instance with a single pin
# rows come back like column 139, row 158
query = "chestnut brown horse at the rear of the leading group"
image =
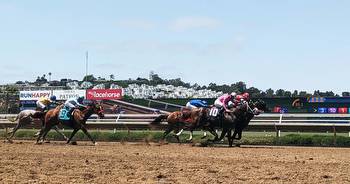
column 180, row 120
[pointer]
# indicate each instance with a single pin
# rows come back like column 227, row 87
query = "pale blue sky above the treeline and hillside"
column 278, row 44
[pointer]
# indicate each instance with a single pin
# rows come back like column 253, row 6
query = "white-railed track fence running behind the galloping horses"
column 336, row 123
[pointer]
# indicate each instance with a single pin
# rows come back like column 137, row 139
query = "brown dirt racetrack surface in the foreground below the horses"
column 24, row 162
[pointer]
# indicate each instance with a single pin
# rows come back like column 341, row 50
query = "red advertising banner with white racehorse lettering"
column 104, row 94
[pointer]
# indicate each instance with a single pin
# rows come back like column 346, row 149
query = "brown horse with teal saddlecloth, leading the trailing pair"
column 76, row 122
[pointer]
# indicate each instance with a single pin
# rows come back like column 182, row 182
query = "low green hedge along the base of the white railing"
column 155, row 136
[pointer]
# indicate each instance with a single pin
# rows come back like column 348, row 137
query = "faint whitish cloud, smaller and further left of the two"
column 136, row 24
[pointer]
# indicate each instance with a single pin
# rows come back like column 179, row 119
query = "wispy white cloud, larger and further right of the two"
column 188, row 23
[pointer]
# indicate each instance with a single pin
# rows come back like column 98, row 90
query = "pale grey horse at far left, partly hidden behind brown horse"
column 26, row 117
